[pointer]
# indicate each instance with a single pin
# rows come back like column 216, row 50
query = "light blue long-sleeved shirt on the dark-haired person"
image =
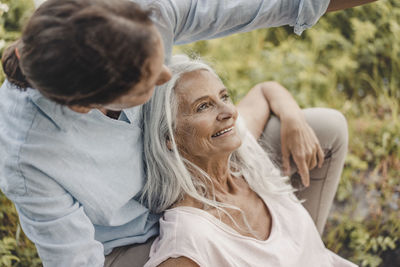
column 75, row 178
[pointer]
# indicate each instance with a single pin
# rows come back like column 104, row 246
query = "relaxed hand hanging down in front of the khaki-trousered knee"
column 298, row 141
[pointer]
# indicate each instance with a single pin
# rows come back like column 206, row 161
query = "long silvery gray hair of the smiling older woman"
column 168, row 175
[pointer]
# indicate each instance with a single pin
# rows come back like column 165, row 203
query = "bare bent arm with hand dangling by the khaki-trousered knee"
column 297, row 138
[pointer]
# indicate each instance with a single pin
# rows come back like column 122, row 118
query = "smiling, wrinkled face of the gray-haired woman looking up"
column 205, row 124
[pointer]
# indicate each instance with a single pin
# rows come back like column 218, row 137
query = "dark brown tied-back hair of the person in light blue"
column 82, row 52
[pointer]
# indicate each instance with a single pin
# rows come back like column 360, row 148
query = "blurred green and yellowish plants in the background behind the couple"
column 349, row 61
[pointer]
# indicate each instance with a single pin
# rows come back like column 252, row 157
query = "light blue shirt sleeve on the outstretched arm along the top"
column 194, row 20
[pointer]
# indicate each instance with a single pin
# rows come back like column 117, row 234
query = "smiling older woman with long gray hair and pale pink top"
column 225, row 202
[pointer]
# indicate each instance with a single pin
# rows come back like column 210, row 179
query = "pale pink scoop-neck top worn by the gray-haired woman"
column 201, row 237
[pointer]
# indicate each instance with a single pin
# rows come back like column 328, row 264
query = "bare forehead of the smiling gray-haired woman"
column 196, row 84
